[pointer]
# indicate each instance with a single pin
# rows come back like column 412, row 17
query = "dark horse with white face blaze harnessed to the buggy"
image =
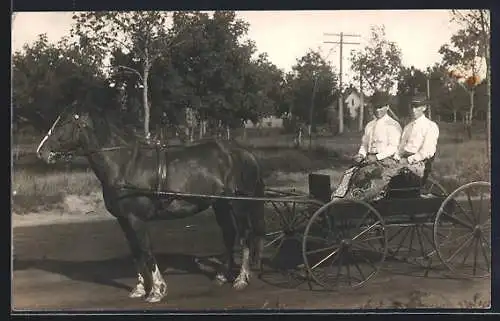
column 125, row 166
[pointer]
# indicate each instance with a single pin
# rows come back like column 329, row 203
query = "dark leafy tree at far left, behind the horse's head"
column 48, row 77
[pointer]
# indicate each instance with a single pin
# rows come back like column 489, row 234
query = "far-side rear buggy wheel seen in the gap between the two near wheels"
column 414, row 242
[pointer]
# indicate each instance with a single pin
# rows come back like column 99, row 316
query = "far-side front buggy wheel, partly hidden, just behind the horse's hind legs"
column 282, row 246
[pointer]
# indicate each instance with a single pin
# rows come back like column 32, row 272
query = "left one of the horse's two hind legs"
column 226, row 221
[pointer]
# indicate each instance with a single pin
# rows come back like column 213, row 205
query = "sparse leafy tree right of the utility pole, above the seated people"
column 378, row 63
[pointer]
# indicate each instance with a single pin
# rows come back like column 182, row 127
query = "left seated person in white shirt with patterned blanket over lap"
column 379, row 143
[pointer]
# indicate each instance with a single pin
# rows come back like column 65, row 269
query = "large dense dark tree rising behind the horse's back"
column 221, row 80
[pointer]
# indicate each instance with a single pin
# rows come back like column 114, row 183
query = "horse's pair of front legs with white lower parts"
column 149, row 273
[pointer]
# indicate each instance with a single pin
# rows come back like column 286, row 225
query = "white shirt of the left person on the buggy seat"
column 381, row 137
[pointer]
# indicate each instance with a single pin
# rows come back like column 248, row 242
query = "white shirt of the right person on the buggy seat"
column 419, row 137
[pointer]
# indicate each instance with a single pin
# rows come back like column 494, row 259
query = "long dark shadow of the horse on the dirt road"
column 106, row 272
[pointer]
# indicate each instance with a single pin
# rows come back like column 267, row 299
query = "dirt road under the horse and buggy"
column 86, row 266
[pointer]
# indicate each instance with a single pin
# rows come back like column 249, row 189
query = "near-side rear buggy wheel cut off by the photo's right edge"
column 465, row 217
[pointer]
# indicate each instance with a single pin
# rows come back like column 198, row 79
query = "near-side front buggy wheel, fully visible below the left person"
column 344, row 244
